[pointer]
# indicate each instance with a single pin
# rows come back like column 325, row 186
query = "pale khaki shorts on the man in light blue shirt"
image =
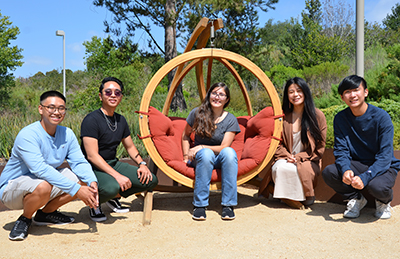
column 17, row 189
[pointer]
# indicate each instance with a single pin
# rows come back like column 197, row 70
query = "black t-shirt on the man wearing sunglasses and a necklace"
column 94, row 125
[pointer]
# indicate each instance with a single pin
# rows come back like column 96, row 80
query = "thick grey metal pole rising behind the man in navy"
column 360, row 38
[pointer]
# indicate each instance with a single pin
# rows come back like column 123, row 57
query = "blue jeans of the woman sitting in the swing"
column 204, row 164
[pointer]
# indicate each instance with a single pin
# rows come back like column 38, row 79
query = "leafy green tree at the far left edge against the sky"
column 10, row 57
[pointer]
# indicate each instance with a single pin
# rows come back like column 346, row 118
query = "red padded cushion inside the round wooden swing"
column 251, row 144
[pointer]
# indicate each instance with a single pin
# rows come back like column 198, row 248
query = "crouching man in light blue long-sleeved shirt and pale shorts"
column 32, row 180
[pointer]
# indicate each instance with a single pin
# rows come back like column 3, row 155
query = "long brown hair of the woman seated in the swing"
column 204, row 125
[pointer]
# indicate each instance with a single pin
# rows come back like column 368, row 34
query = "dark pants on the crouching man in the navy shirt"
column 380, row 187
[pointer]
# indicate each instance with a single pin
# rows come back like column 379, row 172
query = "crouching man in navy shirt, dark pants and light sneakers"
column 363, row 151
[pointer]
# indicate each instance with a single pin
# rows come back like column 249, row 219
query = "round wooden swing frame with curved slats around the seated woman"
column 194, row 59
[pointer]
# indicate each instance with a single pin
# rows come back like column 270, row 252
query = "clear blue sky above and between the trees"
column 81, row 20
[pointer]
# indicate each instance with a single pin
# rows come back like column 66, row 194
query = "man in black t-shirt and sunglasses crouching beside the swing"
column 101, row 132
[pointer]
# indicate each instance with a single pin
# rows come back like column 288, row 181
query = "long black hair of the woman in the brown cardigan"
column 309, row 120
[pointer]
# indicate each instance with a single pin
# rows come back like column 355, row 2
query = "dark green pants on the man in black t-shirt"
column 109, row 187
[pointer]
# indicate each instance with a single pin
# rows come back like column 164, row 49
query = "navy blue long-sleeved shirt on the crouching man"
column 368, row 139
